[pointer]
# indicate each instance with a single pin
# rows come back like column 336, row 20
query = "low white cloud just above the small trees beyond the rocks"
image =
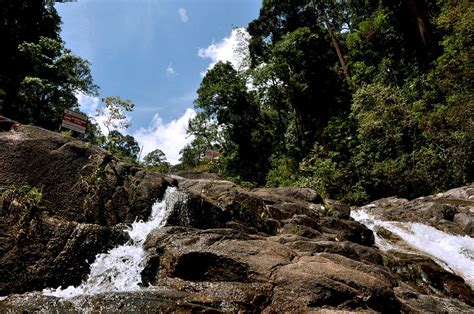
column 169, row 137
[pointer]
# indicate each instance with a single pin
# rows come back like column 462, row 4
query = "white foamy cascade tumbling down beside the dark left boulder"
column 119, row 269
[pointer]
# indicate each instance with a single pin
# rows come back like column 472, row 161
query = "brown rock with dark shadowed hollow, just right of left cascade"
column 248, row 257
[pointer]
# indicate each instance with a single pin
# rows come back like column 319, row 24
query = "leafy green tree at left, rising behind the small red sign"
column 51, row 84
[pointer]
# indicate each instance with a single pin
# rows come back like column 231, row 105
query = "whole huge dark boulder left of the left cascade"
column 62, row 202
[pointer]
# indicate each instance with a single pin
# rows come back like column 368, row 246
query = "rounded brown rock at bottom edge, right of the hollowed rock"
column 316, row 281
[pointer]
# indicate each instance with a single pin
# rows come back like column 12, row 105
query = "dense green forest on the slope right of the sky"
column 356, row 99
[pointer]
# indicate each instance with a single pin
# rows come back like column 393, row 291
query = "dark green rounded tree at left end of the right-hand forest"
column 224, row 98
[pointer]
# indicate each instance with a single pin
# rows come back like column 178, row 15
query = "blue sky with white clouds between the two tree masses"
column 154, row 53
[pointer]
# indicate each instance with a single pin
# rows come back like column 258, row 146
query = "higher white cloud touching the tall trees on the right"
column 233, row 49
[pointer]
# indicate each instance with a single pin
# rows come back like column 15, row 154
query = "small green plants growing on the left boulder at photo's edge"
column 24, row 200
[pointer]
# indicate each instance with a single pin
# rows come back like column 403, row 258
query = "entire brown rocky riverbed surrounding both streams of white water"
column 221, row 248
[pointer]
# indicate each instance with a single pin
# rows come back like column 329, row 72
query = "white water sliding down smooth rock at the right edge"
column 454, row 253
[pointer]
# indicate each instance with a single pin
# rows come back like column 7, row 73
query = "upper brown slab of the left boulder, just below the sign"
column 80, row 182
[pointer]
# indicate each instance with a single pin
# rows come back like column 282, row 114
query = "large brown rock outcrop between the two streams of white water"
column 217, row 245
